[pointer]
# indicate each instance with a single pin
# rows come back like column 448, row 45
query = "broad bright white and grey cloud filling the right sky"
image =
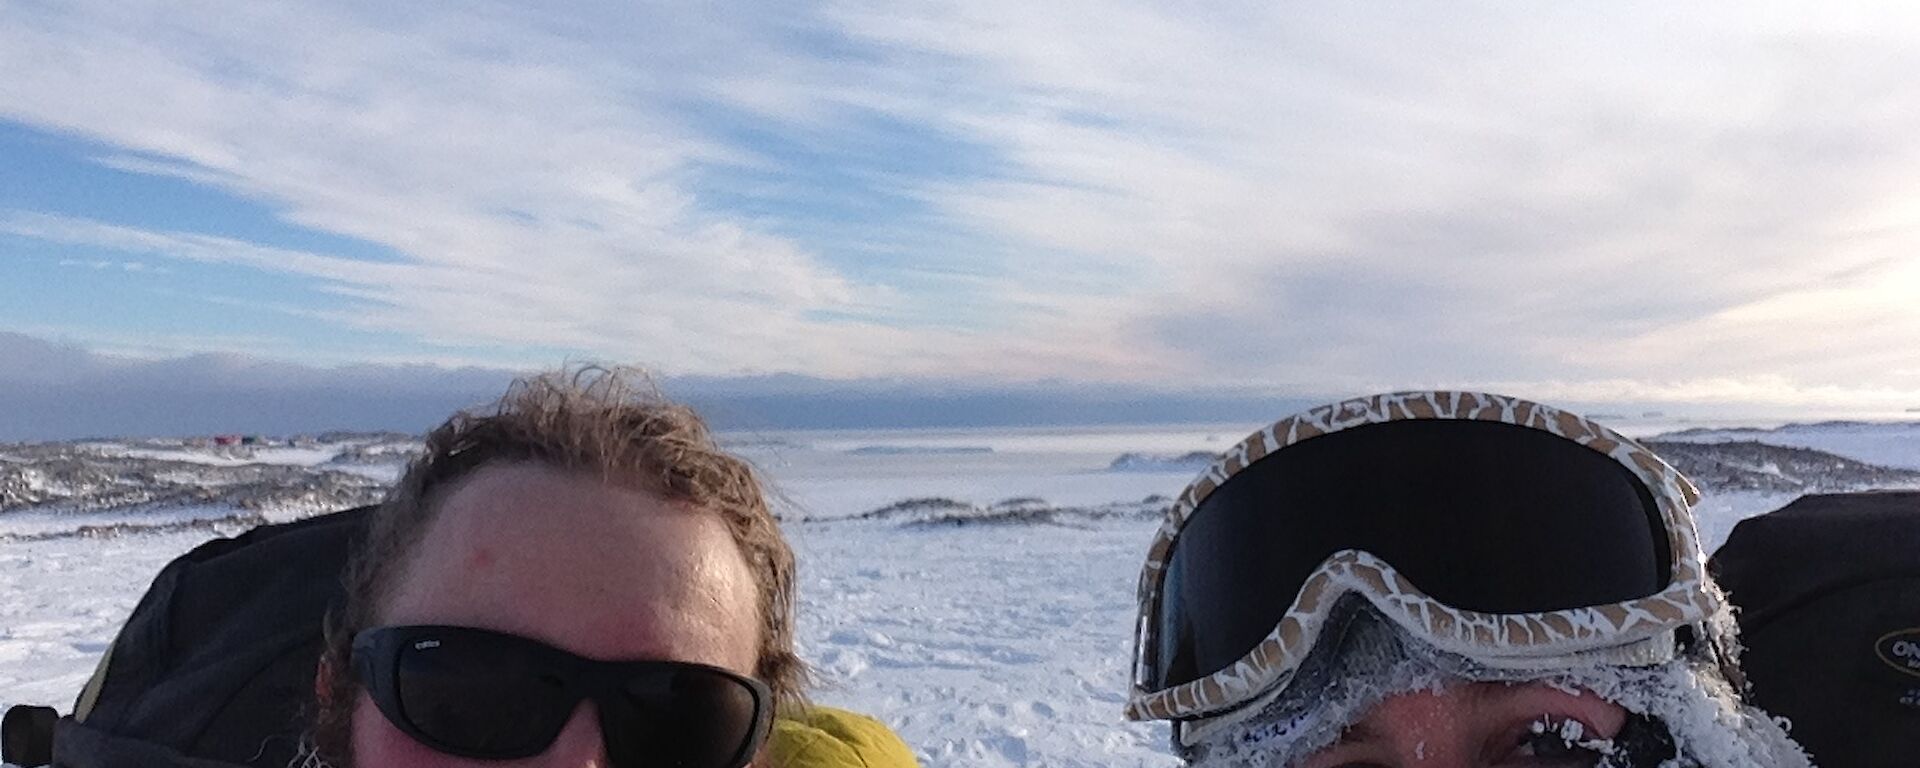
column 1673, row 201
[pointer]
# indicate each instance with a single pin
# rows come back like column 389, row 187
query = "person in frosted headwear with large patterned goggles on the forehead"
column 1441, row 579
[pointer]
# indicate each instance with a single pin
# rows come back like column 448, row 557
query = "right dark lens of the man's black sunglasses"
column 684, row 717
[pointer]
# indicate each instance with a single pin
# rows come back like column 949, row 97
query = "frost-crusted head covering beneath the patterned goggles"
column 1685, row 713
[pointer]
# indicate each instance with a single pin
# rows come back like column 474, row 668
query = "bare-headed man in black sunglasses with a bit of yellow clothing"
column 575, row 579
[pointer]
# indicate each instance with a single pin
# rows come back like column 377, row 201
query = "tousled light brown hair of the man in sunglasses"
column 610, row 423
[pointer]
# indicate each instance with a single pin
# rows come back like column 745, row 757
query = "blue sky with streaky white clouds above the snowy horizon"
column 1124, row 203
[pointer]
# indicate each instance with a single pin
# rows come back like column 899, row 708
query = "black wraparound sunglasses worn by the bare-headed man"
column 492, row 696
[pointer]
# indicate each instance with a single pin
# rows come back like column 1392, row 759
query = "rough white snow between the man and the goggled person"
column 984, row 646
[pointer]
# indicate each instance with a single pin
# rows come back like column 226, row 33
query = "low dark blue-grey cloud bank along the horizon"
column 60, row 393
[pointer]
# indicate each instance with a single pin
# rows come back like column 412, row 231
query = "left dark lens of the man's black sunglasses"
column 481, row 696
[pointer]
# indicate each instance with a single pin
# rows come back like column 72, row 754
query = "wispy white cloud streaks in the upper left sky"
column 529, row 201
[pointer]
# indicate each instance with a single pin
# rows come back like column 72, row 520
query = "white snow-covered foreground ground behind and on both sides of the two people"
column 984, row 646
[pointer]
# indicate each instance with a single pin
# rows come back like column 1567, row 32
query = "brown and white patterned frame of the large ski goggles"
column 1510, row 640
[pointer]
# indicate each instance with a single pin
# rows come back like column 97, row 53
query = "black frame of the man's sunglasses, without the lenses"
column 377, row 656
